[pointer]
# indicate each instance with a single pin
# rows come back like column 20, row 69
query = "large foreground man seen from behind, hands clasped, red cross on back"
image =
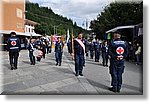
column 118, row 52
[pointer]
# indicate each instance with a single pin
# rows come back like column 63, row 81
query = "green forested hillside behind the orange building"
column 49, row 22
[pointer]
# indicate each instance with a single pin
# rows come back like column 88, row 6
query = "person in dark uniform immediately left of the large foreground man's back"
column 105, row 53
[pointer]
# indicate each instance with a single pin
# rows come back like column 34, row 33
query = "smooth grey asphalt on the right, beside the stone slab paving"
column 99, row 77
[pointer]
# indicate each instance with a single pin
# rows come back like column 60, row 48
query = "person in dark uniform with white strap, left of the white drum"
column 31, row 50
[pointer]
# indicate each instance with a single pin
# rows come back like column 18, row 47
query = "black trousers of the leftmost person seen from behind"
column 13, row 58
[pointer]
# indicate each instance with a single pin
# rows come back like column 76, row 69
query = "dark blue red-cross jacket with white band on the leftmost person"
column 13, row 44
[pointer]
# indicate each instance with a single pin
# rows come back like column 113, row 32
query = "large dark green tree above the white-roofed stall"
column 117, row 14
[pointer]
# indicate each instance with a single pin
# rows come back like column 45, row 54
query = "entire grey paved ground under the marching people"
column 46, row 78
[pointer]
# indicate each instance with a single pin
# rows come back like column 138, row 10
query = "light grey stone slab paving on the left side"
column 43, row 78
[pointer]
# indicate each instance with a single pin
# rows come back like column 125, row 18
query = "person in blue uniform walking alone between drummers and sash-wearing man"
column 58, row 51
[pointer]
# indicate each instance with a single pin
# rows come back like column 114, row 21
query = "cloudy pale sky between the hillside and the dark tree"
column 77, row 10
